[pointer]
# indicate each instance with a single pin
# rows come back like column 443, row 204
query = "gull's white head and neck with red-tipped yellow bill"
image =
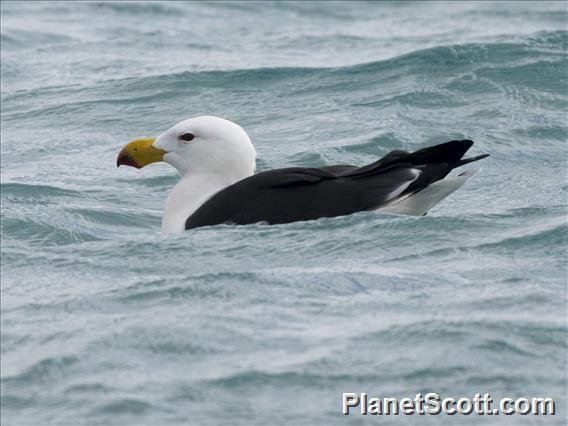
column 210, row 153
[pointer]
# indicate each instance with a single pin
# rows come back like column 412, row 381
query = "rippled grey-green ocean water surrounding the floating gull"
column 104, row 321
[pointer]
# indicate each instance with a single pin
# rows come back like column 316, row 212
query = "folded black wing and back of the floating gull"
column 298, row 193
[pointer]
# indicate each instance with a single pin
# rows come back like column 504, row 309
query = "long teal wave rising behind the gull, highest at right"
column 469, row 78
